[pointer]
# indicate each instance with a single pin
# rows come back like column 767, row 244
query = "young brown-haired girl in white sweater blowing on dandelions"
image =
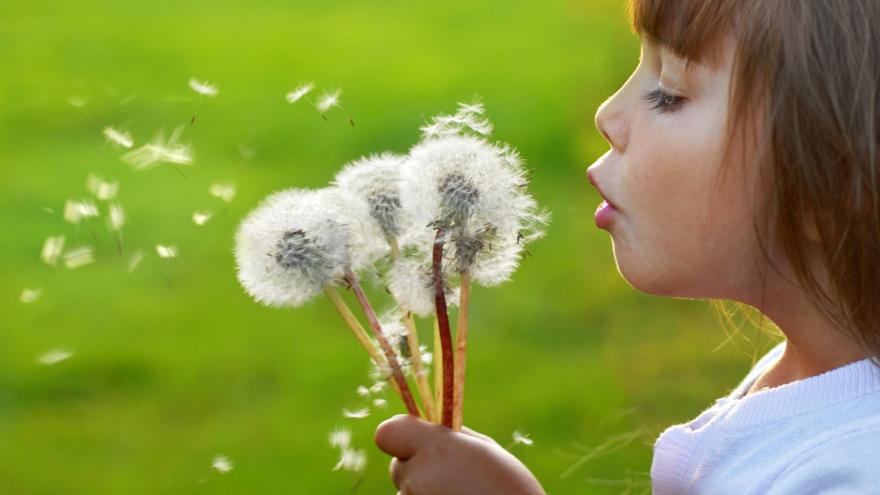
column 743, row 166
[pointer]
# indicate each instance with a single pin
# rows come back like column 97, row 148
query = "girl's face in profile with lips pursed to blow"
column 676, row 232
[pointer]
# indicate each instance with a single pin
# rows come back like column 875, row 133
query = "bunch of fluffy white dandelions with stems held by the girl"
column 452, row 212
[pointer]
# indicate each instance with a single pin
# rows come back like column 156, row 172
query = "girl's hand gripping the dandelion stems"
column 431, row 459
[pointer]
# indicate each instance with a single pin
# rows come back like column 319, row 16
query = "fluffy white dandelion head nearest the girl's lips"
column 475, row 191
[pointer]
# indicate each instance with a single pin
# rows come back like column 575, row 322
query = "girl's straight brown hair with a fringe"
column 810, row 69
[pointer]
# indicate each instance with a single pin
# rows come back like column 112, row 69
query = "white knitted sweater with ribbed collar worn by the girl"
column 819, row 435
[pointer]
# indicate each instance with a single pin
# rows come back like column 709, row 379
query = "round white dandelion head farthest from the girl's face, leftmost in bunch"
column 298, row 241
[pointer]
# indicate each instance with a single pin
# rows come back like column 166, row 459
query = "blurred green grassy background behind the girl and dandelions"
column 173, row 364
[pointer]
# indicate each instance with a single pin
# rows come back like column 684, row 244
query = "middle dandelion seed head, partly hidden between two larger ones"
column 376, row 180
